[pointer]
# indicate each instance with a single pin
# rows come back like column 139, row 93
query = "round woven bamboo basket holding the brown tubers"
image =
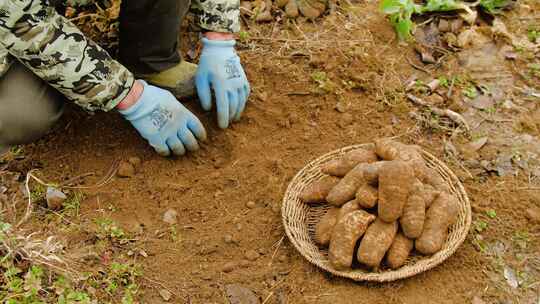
column 299, row 220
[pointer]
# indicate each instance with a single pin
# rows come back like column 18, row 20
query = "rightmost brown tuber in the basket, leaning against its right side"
column 439, row 217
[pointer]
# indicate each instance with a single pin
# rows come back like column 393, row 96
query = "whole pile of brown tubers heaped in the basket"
column 386, row 199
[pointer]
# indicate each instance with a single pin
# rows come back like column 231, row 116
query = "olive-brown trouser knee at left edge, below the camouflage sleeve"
column 28, row 107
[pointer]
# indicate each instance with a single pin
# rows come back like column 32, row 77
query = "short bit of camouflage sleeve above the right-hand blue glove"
column 217, row 15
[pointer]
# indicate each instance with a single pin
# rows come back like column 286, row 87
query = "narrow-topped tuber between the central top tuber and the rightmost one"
column 414, row 212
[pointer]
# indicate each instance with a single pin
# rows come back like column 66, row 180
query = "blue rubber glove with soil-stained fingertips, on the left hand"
column 165, row 122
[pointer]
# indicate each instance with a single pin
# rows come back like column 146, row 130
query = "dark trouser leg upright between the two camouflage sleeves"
column 149, row 31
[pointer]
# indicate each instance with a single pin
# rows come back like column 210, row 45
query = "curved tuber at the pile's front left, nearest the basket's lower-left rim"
column 345, row 235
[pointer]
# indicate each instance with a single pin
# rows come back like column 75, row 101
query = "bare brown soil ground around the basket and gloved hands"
column 284, row 127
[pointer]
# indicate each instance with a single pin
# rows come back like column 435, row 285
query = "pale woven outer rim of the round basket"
column 389, row 275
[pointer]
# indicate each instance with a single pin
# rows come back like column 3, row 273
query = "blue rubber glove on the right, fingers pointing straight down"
column 220, row 69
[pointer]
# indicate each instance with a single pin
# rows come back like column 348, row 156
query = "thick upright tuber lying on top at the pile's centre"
column 395, row 182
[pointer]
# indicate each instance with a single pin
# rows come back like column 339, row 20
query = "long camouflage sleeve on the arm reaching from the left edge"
column 55, row 50
